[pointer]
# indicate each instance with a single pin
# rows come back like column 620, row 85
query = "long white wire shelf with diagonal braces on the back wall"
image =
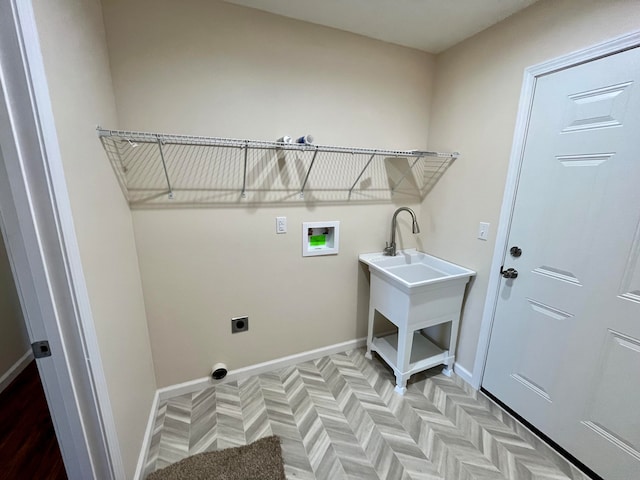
column 156, row 169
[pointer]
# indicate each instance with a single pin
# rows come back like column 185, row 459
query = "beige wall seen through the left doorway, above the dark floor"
column 14, row 342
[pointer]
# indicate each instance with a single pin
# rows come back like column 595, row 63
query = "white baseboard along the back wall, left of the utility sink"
column 257, row 369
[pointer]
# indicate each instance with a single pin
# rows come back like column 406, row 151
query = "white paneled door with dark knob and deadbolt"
column 565, row 343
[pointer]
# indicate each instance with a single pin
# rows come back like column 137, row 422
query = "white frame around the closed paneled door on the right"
column 531, row 74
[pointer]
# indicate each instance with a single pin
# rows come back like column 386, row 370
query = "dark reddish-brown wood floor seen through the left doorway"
column 28, row 445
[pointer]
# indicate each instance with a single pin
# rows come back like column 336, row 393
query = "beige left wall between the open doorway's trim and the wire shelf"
column 76, row 63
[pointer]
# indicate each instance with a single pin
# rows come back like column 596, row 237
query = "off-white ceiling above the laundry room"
column 428, row 25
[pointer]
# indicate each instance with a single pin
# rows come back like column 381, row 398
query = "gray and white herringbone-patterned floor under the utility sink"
column 339, row 418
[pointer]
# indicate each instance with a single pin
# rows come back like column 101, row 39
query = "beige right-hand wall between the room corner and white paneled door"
column 476, row 95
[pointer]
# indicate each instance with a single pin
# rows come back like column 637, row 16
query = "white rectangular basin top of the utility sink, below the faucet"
column 410, row 269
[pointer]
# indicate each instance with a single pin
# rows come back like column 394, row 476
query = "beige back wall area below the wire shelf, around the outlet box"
column 202, row 267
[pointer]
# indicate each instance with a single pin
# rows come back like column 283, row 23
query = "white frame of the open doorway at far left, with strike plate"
column 36, row 221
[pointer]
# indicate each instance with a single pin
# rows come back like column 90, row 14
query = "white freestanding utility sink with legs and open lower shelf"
column 414, row 291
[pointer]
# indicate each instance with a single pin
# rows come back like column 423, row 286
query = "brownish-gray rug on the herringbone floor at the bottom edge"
column 260, row 460
